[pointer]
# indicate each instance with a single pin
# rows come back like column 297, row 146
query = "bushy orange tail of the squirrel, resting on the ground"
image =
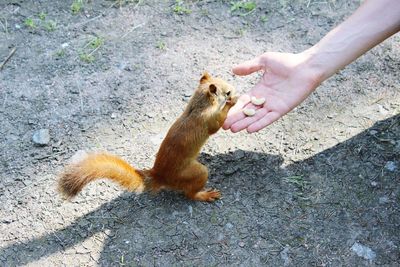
column 97, row 166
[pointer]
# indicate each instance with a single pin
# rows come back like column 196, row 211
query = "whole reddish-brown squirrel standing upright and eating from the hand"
column 176, row 166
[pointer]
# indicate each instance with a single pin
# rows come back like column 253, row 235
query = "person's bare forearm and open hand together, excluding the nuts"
column 289, row 78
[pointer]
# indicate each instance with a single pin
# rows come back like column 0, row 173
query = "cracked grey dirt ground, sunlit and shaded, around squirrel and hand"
column 107, row 75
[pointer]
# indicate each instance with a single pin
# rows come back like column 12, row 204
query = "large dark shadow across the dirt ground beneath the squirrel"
column 325, row 197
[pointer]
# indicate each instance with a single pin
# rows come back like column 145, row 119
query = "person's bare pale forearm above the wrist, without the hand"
column 373, row 22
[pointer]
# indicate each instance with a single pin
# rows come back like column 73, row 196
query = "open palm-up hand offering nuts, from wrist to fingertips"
column 286, row 82
